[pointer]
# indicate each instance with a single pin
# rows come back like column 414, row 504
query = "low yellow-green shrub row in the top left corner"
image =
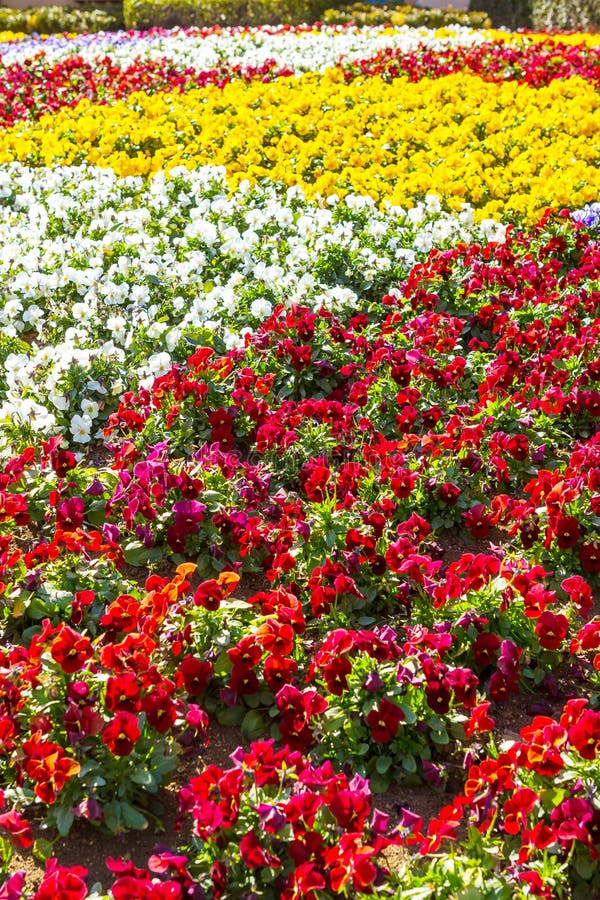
column 56, row 19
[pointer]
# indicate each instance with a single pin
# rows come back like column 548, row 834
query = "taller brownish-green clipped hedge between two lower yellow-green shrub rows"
column 169, row 13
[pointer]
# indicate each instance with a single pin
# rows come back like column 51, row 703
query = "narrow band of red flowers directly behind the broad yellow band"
column 32, row 87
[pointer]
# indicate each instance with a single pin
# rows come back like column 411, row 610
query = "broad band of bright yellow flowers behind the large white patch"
column 507, row 148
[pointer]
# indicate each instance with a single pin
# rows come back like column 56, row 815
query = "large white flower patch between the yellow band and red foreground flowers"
column 106, row 280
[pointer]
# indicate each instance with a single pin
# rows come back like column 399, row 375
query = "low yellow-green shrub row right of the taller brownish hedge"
column 401, row 14
